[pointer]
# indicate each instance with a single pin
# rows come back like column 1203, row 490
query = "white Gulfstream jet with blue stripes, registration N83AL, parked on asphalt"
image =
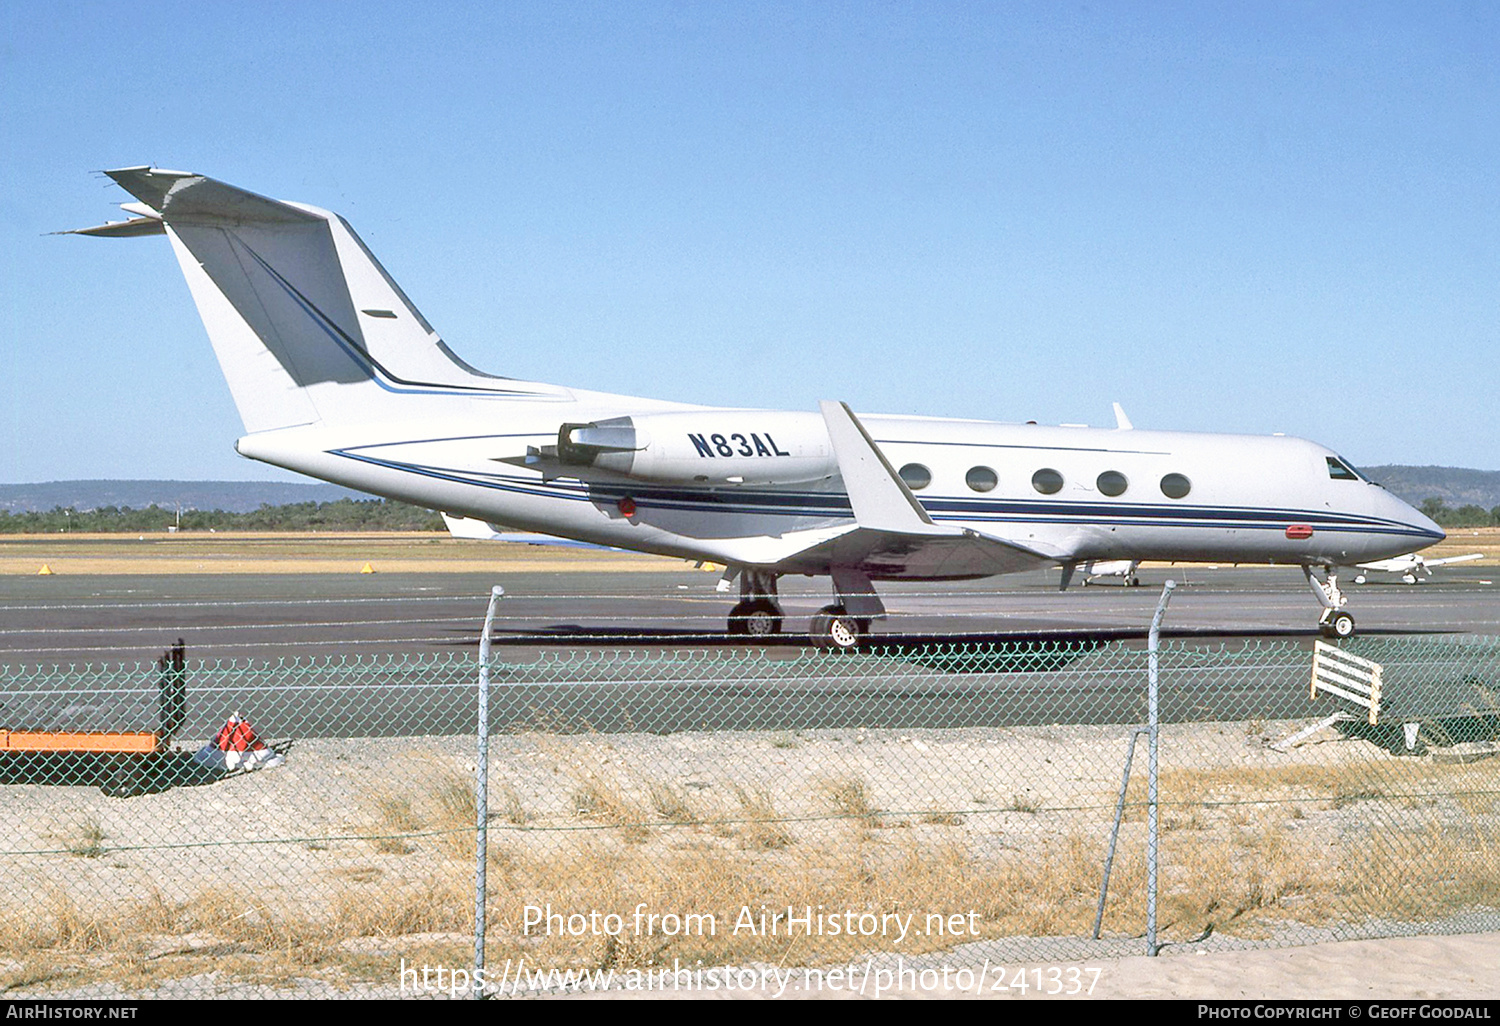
column 337, row 376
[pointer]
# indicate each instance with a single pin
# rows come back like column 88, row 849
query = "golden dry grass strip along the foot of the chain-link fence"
column 1240, row 881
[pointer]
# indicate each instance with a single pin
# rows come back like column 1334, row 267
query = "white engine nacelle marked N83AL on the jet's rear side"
column 709, row 448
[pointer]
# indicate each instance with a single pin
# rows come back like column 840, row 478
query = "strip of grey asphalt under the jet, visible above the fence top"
column 89, row 620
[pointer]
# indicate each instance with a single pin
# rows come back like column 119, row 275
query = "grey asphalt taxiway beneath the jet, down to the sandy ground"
column 649, row 650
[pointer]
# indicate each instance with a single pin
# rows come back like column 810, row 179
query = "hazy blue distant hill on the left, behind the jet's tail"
column 235, row 497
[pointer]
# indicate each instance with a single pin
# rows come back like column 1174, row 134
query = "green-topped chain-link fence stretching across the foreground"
column 740, row 806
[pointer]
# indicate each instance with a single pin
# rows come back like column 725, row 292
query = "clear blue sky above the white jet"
column 1253, row 217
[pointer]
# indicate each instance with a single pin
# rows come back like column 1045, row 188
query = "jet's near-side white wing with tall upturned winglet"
column 893, row 536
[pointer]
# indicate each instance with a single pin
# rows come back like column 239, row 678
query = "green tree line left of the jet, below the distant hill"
column 343, row 515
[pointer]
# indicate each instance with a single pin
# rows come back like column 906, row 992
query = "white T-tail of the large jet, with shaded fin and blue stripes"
column 305, row 322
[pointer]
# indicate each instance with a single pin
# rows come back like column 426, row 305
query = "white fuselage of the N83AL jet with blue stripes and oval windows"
column 1247, row 499
